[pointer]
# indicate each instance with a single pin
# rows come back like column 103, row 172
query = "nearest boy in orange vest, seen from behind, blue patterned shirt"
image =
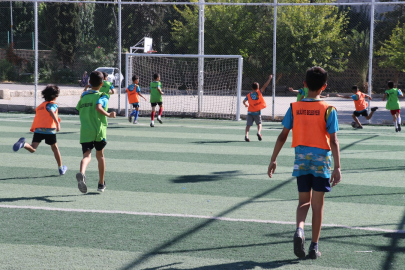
column 314, row 124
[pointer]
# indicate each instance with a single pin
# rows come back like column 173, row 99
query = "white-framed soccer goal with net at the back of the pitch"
column 207, row 86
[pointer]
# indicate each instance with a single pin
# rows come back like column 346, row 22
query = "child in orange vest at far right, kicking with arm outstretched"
column 360, row 104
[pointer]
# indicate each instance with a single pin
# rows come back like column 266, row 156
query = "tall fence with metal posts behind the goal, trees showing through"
column 58, row 42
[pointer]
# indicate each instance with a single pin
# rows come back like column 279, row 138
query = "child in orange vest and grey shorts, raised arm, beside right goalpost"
column 256, row 104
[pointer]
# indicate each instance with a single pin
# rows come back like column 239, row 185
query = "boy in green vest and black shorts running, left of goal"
column 93, row 129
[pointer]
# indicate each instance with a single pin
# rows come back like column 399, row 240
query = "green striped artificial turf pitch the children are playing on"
column 165, row 184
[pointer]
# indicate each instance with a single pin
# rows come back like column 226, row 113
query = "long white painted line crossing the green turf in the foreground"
column 191, row 216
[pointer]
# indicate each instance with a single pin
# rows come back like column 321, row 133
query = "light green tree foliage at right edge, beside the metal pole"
column 393, row 49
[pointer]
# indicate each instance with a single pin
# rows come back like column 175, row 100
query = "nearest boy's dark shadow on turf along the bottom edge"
column 242, row 265
